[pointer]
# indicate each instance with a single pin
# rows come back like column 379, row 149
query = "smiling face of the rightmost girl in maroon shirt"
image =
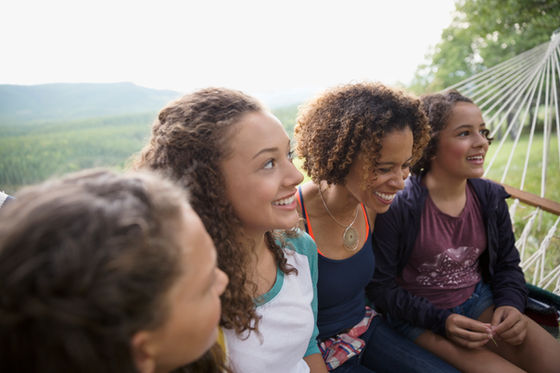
column 462, row 144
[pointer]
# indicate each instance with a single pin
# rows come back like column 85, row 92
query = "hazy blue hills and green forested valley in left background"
column 90, row 130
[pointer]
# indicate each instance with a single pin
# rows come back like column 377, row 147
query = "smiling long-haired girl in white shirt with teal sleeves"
column 235, row 159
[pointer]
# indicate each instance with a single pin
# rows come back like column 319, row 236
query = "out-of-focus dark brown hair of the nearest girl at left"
column 85, row 262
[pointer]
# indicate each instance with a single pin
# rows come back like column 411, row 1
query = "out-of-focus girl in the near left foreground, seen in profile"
column 97, row 273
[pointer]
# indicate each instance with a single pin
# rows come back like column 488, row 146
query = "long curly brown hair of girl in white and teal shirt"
column 190, row 139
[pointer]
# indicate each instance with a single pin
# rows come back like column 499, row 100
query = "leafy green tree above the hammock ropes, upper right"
column 482, row 34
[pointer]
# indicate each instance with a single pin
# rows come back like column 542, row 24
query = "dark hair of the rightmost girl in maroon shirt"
column 438, row 108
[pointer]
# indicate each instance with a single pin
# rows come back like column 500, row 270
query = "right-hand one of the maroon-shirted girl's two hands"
column 509, row 325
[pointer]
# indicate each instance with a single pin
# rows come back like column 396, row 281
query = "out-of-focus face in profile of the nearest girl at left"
column 192, row 302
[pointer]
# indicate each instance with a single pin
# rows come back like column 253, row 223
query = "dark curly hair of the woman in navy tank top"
column 352, row 119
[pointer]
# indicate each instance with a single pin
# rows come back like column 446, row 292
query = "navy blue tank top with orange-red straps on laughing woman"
column 341, row 285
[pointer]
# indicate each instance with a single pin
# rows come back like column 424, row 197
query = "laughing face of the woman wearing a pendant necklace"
column 378, row 190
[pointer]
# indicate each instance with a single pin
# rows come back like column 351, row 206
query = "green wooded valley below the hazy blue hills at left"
column 33, row 152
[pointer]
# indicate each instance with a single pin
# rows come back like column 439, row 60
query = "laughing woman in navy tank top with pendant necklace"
column 357, row 142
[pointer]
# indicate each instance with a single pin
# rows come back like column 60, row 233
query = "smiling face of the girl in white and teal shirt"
column 259, row 175
